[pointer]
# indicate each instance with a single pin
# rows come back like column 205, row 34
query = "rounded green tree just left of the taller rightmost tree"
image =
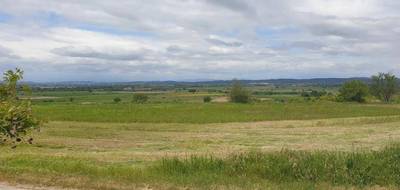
column 355, row 91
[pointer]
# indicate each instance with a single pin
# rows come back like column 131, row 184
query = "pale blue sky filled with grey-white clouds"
column 135, row 40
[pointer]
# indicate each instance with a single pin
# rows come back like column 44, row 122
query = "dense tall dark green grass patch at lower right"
column 336, row 168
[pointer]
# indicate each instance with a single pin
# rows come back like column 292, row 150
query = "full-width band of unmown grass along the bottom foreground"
column 277, row 170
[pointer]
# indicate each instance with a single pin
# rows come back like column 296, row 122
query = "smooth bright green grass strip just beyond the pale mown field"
column 208, row 113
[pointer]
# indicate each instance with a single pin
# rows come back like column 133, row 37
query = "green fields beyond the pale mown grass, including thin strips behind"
column 171, row 107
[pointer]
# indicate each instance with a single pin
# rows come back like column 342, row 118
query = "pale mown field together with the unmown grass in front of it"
column 343, row 152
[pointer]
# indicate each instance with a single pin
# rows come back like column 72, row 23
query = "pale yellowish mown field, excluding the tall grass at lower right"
column 67, row 153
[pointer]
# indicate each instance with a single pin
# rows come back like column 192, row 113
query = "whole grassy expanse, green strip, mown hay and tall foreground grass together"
column 178, row 142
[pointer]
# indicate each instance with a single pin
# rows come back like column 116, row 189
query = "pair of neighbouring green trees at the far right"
column 384, row 86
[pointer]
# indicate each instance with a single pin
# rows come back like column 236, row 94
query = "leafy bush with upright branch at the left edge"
column 16, row 118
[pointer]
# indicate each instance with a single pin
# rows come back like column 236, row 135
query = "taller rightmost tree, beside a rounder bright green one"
column 384, row 86
